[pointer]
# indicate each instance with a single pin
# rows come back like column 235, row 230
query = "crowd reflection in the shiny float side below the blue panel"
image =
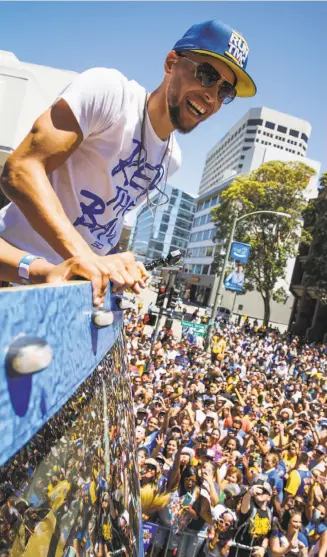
column 72, row 490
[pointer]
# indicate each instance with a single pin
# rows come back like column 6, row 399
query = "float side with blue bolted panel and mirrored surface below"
column 68, row 476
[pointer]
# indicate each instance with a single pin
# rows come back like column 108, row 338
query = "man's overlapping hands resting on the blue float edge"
column 120, row 269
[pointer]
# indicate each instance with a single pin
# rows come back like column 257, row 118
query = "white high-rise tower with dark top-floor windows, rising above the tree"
column 259, row 126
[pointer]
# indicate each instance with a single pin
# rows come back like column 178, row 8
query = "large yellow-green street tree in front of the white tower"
column 275, row 186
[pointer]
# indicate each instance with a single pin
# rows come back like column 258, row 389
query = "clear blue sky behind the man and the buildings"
column 287, row 40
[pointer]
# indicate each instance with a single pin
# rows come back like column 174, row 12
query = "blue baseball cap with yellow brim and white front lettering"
column 216, row 39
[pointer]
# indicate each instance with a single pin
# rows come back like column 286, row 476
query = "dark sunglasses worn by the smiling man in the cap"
column 208, row 76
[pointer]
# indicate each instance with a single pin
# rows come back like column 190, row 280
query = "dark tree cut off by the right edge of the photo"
column 315, row 217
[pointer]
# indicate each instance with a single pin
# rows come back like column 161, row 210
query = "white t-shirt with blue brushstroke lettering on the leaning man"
column 103, row 179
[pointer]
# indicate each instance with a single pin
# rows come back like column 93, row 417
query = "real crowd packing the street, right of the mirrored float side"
column 231, row 444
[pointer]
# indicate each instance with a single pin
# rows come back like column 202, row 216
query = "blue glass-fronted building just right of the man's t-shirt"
column 159, row 230
